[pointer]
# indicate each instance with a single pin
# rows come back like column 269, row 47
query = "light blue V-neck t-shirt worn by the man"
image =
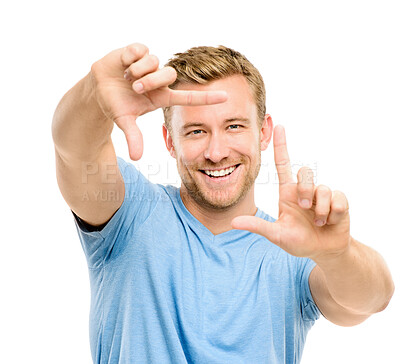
column 164, row 289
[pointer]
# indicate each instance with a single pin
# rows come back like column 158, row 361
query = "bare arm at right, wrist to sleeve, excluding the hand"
column 350, row 287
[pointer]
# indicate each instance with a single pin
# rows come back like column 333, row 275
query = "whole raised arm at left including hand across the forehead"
column 86, row 164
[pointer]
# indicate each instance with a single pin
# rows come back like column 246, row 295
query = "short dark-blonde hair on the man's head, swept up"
column 200, row 65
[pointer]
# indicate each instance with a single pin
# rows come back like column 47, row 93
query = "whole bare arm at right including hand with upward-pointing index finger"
column 351, row 280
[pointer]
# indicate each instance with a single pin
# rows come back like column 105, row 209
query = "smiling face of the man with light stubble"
column 218, row 147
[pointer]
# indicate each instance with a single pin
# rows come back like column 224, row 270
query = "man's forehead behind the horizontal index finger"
column 240, row 103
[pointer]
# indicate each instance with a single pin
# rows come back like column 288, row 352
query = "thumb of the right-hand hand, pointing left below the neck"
column 258, row 226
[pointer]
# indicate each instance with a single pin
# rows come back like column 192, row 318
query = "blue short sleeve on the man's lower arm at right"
column 308, row 308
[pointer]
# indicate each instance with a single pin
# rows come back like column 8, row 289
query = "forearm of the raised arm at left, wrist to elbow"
column 80, row 128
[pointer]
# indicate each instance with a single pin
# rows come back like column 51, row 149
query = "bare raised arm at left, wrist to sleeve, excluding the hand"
column 85, row 155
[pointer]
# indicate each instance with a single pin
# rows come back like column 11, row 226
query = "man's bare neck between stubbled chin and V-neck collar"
column 219, row 220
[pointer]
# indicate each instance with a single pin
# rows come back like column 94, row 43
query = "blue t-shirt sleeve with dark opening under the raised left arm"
column 140, row 199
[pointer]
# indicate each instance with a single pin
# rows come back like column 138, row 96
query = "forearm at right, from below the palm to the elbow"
column 358, row 279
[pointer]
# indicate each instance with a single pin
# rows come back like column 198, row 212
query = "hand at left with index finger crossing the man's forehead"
column 119, row 101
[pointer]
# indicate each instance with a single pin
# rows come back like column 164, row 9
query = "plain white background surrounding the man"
column 331, row 71
